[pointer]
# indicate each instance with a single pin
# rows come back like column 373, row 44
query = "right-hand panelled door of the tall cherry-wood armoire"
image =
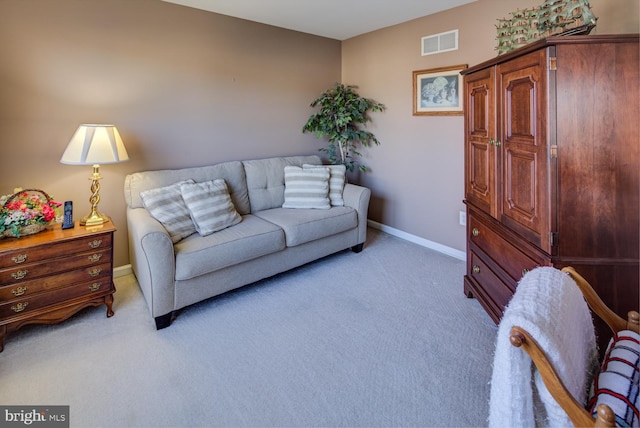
column 522, row 141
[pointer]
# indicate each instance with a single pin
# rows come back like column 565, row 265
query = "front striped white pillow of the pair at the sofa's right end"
column 306, row 188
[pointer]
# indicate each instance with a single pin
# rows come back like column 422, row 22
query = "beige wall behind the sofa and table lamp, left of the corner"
column 185, row 87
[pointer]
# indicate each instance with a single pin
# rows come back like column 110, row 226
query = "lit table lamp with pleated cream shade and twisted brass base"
column 94, row 145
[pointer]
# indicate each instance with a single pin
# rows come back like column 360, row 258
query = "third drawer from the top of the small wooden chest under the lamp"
column 29, row 288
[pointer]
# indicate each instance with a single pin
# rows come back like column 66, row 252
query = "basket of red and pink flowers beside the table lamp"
column 26, row 212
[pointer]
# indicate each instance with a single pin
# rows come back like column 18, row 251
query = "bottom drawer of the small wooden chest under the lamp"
column 25, row 305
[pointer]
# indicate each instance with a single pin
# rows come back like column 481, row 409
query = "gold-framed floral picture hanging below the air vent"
column 438, row 91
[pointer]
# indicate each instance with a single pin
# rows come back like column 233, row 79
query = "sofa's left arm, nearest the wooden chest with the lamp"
column 153, row 260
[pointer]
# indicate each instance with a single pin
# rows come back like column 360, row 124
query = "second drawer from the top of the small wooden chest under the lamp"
column 30, row 271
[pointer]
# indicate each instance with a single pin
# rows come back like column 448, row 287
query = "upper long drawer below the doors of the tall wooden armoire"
column 513, row 261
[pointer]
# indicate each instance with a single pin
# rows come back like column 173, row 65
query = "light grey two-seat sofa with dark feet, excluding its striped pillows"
column 268, row 240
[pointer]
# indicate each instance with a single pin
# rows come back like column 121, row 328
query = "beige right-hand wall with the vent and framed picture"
column 417, row 171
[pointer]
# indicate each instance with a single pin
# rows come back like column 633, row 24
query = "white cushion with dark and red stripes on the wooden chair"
column 618, row 383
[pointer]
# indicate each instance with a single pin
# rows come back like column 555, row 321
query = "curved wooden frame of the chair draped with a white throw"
column 579, row 416
